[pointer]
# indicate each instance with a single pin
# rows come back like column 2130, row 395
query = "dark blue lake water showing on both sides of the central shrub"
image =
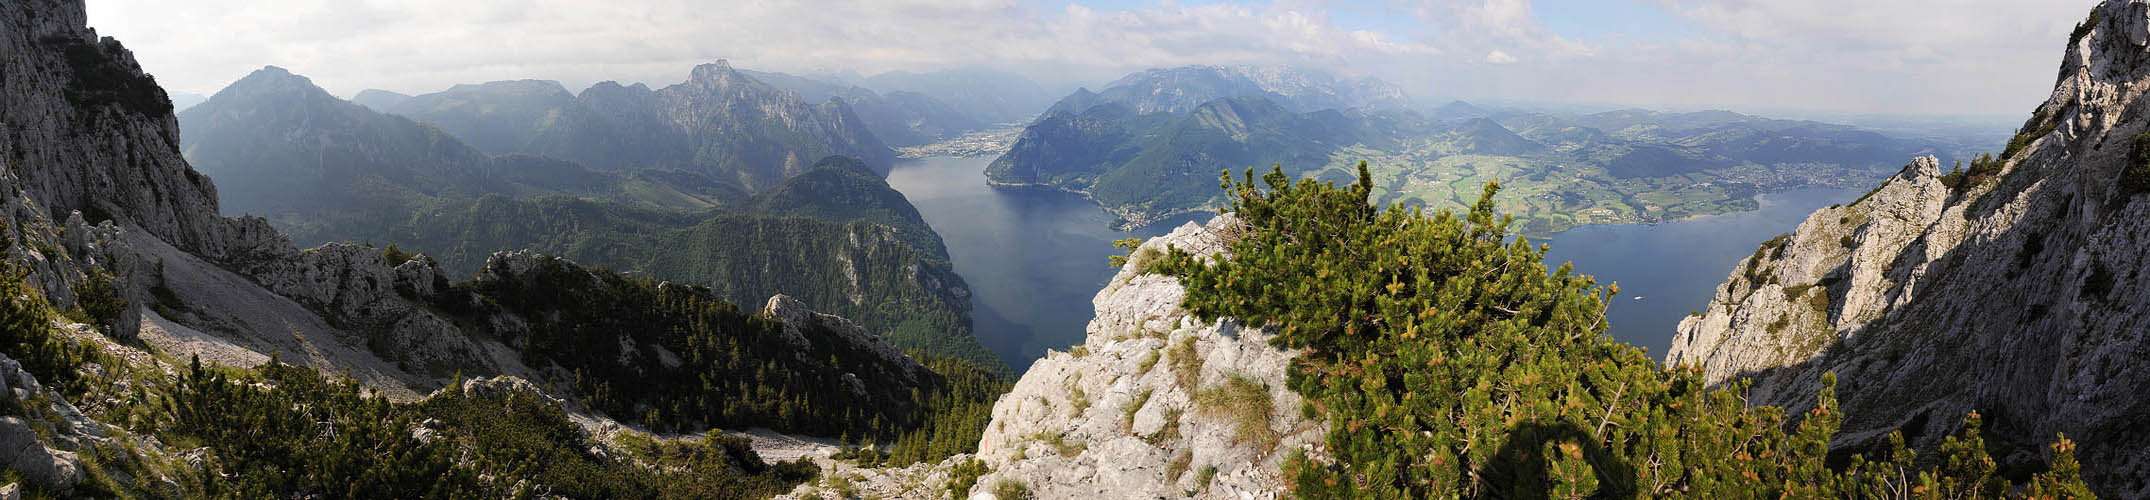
column 1035, row 259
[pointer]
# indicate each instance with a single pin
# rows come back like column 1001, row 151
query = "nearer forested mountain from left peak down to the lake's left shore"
column 330, row 171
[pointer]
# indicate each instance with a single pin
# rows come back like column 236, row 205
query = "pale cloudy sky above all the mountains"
column 1850, row 57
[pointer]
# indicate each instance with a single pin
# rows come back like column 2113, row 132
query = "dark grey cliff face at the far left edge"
column 68, row 98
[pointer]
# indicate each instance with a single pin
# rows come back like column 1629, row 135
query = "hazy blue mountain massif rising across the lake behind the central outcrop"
column 1153, row 143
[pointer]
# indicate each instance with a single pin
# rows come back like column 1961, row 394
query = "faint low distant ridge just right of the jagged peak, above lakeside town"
column 900, row 119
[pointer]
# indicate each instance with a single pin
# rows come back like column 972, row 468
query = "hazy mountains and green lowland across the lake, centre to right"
column 1153, row 143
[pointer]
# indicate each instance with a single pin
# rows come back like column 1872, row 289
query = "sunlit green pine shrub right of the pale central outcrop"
column 1452, row 364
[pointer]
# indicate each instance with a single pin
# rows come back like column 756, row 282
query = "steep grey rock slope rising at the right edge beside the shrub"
column 2022, row 299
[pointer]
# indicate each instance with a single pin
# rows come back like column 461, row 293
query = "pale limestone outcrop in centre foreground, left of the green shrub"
column 1123, row 415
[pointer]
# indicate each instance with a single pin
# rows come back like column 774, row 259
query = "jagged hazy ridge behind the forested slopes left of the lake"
column 719, row 123
